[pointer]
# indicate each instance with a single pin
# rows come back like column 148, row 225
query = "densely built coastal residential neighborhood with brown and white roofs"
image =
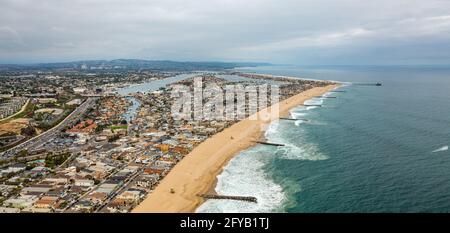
column 86, row 147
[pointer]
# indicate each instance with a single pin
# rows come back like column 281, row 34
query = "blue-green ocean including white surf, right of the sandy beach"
column 372, row 149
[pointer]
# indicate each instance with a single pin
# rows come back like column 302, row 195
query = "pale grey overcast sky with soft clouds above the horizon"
column 278, row 31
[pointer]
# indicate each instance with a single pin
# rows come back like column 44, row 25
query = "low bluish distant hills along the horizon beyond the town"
column 118, row 64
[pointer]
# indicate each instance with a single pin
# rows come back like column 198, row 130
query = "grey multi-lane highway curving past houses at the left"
column 39, row 140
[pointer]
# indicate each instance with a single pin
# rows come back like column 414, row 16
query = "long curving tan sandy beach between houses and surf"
column 196, row 173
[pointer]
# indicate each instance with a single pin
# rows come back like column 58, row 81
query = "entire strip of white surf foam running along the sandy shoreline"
column 246, row 174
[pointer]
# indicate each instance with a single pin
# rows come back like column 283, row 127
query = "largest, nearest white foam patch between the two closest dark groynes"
column 244, row 176
